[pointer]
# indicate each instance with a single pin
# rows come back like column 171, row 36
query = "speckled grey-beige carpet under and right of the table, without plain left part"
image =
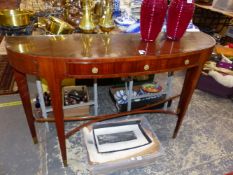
column 204, row 144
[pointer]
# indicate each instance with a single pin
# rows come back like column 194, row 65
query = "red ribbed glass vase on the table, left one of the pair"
column 151, row 18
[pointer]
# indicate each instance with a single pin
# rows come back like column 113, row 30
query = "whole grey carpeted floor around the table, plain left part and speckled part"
column 204, row 144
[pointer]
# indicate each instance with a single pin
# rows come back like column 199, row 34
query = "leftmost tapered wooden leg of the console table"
column 21, row 81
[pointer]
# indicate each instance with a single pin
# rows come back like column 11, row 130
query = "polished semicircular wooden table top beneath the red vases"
column 102, row 46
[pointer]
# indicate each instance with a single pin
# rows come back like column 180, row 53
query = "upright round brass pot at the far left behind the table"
column 14, row 17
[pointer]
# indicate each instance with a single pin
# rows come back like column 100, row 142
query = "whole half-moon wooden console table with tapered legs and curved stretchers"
column 103, row 56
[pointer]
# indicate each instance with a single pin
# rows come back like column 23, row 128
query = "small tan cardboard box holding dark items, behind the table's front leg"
column 74, row 110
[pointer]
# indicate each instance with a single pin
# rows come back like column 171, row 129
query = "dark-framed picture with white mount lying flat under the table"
column 112, row 137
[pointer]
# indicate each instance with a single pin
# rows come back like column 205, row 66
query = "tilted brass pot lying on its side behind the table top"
column 58, row 26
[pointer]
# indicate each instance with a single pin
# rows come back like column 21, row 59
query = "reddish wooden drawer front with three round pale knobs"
column 130, row 67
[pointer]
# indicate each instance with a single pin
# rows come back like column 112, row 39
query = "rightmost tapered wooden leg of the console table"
column 190, row 82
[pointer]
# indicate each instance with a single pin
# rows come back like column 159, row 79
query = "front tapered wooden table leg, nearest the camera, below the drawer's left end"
column 54, row 86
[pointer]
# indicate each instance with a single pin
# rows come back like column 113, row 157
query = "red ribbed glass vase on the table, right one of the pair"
column 180, row 13
